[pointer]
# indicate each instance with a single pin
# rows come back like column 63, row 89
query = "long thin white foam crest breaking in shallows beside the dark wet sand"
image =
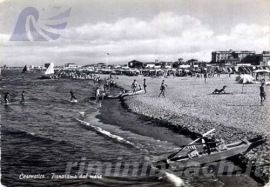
column 106, row 133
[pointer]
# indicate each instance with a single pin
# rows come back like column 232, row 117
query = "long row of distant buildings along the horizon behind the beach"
column 219, row 59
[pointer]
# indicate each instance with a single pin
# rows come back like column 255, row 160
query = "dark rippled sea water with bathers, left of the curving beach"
column 50, row 141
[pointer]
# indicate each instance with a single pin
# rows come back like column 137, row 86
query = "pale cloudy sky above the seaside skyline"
column 118, row 31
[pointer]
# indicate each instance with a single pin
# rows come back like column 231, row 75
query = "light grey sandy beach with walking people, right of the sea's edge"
column 189, row 104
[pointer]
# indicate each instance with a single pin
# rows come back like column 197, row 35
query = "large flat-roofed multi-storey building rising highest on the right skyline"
column 228, row 58
